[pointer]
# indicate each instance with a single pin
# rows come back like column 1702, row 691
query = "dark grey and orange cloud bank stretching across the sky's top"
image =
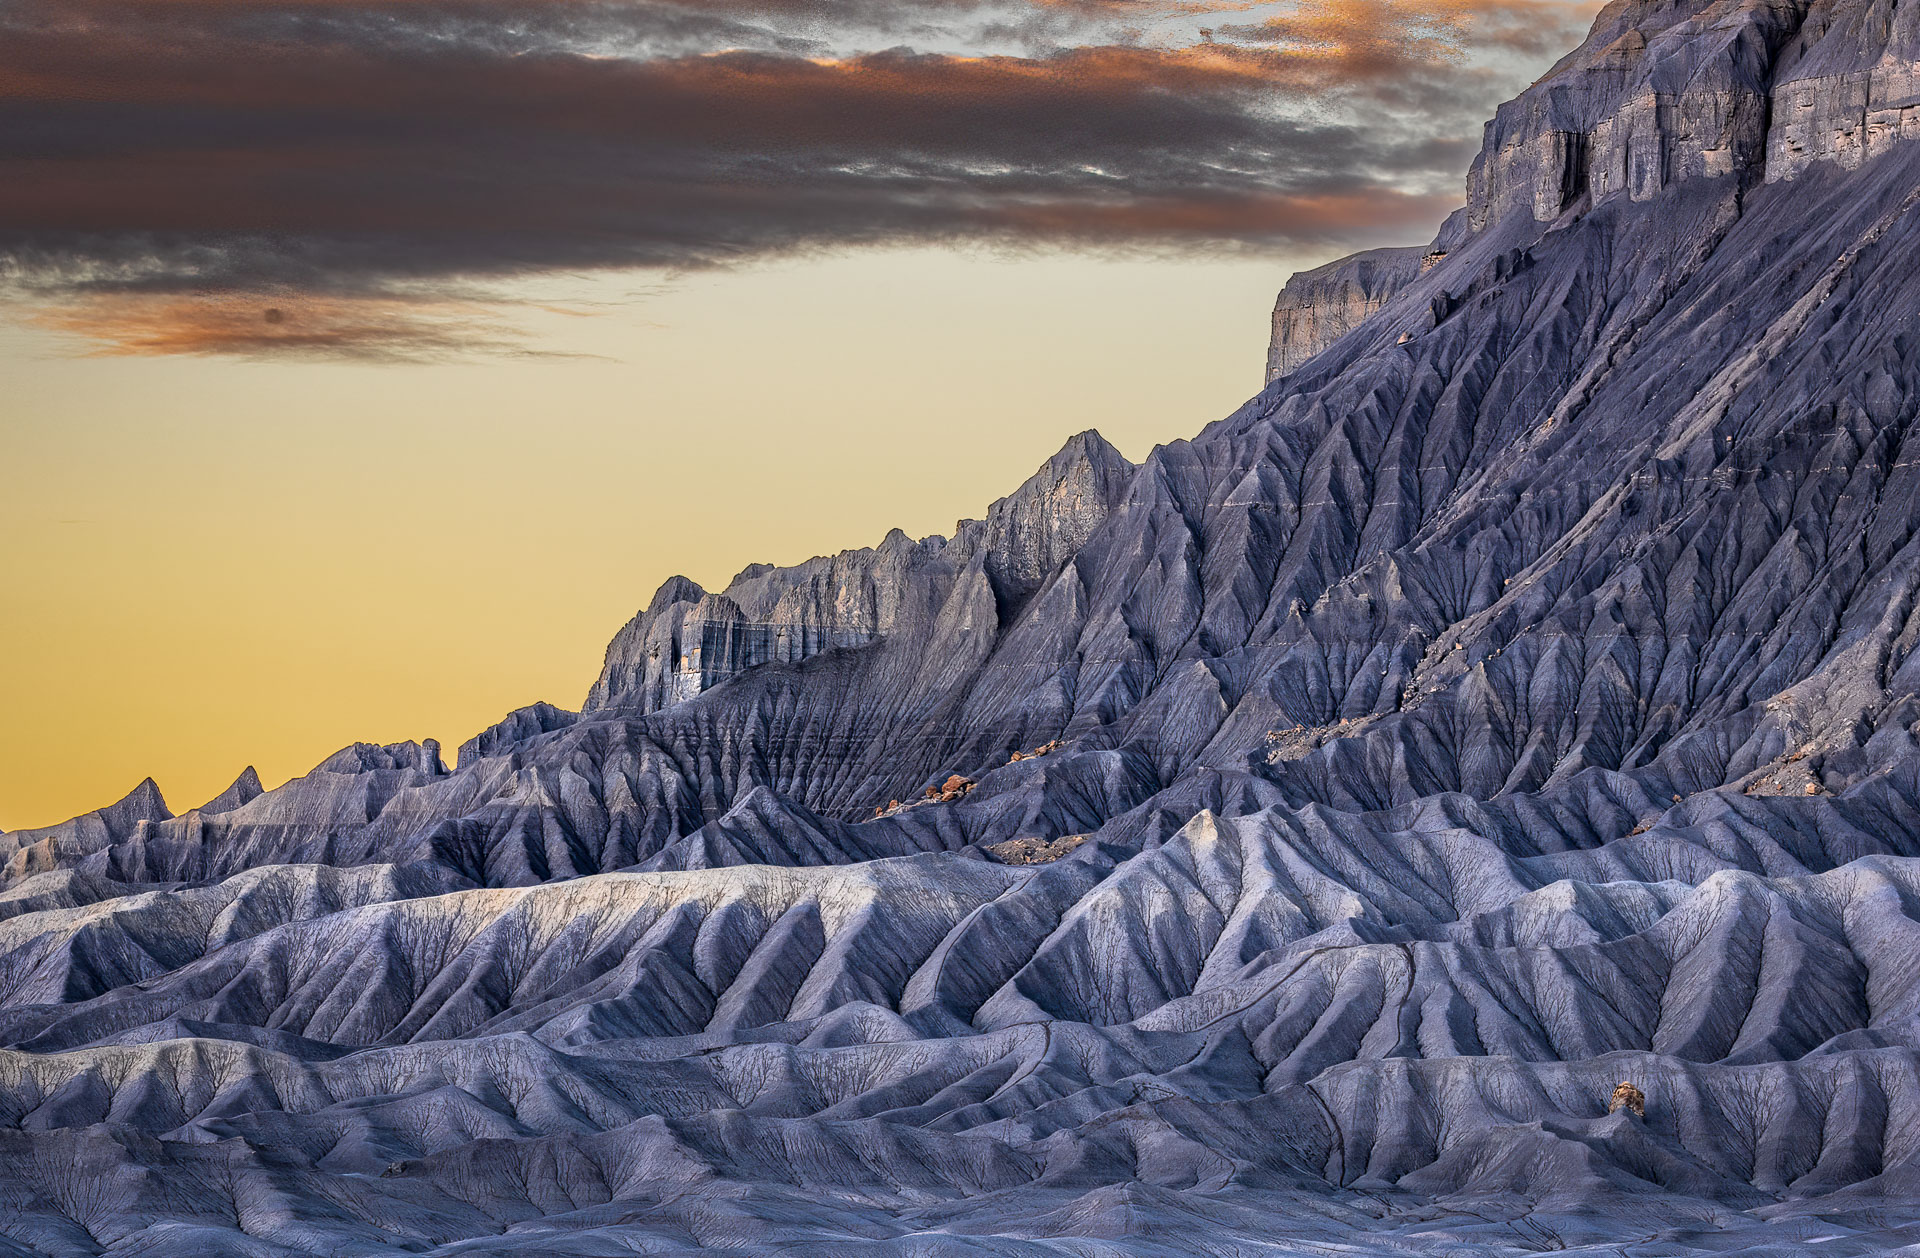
column 170, row 168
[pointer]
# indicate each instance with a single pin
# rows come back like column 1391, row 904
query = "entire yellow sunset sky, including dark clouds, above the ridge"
column 368, row 364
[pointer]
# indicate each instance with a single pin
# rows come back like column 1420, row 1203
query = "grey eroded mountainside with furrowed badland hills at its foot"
column 1516, row 700
